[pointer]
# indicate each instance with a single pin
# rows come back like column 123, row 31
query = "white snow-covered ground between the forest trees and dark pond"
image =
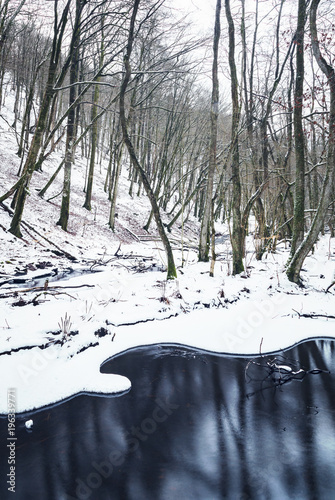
column 53, row 341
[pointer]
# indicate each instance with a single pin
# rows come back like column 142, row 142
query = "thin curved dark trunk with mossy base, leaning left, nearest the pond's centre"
column 171, row 268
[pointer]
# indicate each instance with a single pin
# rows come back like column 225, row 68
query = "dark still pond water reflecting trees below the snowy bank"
column 187, row 430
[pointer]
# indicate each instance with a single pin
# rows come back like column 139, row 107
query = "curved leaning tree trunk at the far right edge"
column 296, row 262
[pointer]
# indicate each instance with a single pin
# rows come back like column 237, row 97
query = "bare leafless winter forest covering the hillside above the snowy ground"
column 236, row 126
